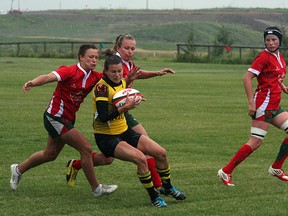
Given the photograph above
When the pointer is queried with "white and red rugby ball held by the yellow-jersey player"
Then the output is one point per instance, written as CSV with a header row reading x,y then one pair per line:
x,y
119,99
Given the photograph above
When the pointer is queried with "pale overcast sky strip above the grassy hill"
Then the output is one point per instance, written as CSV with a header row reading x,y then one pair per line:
x,y
32,5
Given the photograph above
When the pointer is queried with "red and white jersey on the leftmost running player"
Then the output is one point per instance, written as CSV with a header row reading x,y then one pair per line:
x,y
74,84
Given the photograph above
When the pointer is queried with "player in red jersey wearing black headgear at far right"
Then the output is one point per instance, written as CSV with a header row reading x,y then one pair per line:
x,y
264,106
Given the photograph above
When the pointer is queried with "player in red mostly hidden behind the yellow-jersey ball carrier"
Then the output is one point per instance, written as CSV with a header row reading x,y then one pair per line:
x,y
125,47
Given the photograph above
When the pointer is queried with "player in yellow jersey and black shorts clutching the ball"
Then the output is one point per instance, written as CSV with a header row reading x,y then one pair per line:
x,y
115,139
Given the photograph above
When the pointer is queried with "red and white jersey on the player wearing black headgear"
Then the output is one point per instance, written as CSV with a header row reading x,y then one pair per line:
x,y
270,69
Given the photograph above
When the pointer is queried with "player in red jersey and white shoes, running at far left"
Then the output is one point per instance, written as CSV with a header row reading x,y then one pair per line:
x,y
74,84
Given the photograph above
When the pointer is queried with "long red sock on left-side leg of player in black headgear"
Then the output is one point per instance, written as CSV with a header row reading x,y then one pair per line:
x,y
240,155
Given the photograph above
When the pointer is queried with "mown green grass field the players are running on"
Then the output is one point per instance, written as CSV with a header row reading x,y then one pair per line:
x,y
199,115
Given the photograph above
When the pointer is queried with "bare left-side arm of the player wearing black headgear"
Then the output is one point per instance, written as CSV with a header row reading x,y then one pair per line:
x,y
247,80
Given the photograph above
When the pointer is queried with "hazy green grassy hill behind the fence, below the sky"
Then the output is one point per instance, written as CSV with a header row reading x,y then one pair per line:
x,y
153,29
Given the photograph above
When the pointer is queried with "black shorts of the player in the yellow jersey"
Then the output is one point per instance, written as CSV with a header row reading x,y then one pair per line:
x,y
107,143
